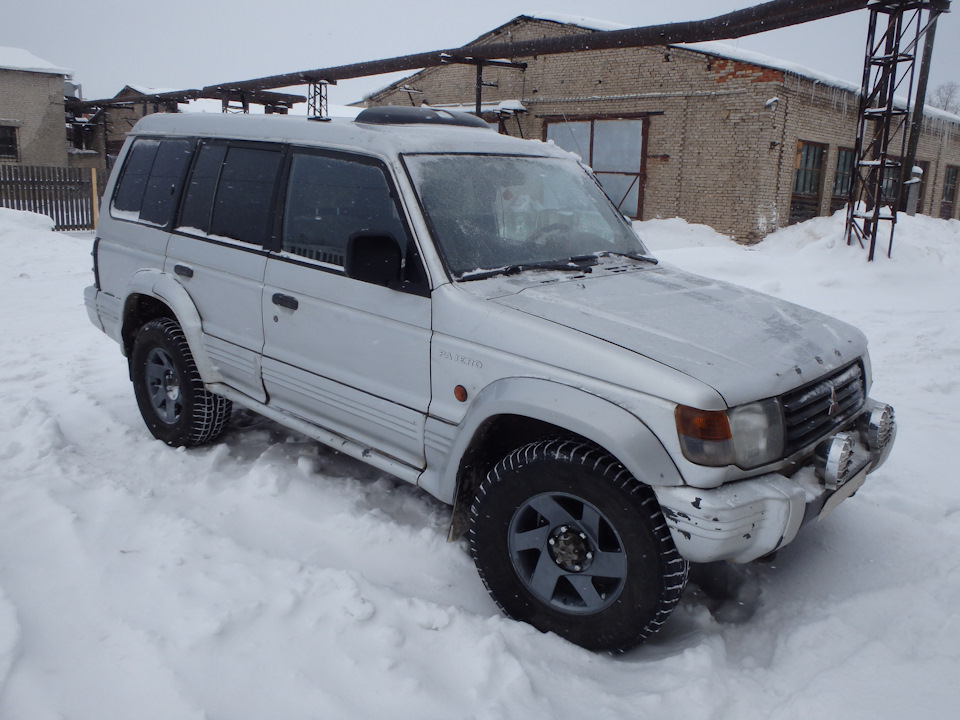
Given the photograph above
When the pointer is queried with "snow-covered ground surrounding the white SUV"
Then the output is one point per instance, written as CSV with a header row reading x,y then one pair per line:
x,y
264,577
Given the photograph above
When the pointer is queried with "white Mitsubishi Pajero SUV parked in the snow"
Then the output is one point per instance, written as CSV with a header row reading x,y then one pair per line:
x,y
468,312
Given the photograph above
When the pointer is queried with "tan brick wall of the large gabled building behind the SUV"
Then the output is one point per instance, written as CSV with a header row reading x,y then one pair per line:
x,y
717,151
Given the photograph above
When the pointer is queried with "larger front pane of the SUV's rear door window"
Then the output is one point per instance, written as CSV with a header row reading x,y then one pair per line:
x,y
241,209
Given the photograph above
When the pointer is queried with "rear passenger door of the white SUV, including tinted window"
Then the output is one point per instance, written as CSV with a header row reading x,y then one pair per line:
x,y
217,252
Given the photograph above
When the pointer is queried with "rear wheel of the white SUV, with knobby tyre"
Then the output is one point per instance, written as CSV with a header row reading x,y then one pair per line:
x,y
174,403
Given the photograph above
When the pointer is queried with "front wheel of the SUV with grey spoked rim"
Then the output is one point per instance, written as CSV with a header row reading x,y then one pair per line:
x,y
566,539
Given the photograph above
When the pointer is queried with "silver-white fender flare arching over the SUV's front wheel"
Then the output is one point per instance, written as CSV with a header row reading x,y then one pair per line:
x,y
577,410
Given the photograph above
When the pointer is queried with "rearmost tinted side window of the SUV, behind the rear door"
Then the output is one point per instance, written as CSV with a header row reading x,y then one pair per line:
x,y
152,180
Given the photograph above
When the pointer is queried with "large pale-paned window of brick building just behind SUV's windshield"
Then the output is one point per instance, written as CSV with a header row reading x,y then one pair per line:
x,y
614,149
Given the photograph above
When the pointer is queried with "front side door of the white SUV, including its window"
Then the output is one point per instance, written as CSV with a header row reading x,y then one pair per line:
x,y
346,355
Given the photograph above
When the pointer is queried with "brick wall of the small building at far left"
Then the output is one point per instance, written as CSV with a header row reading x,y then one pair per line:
x,y
33,103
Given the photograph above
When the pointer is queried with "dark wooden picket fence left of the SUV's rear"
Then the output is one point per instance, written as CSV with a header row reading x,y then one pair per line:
x,y
68,195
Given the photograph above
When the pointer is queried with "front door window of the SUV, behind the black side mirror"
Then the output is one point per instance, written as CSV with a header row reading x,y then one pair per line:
x,y
329,199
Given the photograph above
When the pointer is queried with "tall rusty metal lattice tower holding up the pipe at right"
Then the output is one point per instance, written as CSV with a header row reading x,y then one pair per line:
x,y
882,160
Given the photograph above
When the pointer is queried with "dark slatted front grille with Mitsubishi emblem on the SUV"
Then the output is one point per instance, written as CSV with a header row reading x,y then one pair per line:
x,y
813,411
